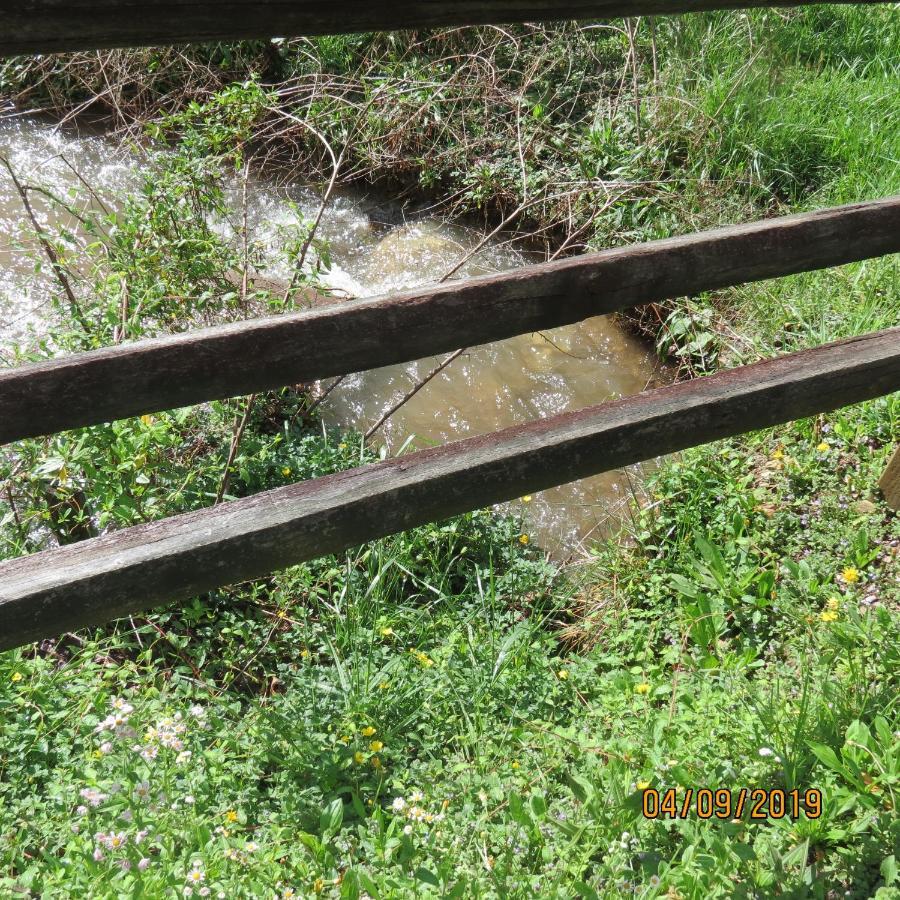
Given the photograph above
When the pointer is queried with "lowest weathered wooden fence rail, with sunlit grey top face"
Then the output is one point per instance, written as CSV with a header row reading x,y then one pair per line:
x,y
123,572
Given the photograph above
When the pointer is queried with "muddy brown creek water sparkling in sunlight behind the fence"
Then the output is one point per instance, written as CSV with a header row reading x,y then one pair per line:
x,y
373,251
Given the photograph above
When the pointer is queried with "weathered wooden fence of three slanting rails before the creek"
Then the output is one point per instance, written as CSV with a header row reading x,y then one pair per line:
x,y
125,571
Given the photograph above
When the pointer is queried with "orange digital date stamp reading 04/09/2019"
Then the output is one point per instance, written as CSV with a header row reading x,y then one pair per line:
x,y
707,803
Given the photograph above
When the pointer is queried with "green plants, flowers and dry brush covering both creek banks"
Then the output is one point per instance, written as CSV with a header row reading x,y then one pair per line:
x,y
446,712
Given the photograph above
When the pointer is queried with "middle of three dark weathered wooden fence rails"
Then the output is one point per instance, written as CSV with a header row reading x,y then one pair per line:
x,y
179,370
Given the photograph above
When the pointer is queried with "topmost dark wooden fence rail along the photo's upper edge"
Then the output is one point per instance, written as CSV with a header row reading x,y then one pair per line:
x,y
43,26
